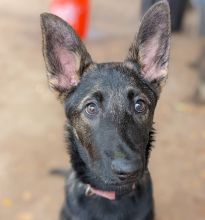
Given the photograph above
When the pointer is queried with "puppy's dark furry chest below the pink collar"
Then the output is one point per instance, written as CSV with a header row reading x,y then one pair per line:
x,y
78,206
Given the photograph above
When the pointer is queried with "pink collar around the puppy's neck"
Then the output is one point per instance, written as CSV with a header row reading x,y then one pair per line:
x,y
111,195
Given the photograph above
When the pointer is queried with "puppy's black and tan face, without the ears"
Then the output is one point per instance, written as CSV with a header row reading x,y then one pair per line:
x,y
110,119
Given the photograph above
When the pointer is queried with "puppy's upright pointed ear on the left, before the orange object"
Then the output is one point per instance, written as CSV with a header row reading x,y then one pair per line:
x,y
65,55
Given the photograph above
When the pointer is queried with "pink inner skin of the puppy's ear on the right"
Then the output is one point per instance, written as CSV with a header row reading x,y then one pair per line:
x,y
148,53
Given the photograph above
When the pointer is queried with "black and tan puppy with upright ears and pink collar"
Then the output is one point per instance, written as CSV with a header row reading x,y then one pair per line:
x,y
109,109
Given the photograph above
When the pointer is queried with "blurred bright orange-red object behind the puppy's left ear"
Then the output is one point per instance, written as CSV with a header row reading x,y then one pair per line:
x,y
75,12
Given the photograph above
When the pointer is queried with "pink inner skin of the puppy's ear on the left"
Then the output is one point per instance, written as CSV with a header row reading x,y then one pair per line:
x,y
68,77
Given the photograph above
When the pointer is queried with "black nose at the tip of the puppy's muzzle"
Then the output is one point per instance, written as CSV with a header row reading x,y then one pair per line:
x,y
125,168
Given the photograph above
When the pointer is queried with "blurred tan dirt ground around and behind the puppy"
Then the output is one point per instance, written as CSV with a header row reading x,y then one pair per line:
x,y
31,128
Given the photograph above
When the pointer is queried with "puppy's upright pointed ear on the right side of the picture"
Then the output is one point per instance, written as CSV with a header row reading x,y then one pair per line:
x,y
150,48
